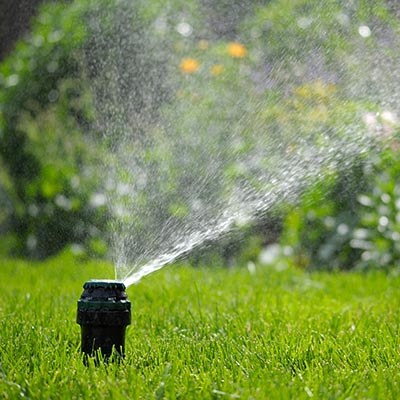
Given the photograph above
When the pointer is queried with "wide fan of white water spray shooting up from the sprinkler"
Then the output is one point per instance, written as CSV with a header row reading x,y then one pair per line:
x,y
196,144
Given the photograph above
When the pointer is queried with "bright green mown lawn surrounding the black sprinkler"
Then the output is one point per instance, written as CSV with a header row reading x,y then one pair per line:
x,y
205,334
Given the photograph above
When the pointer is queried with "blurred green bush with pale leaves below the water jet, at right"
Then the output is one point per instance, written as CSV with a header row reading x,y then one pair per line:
x,y
351,219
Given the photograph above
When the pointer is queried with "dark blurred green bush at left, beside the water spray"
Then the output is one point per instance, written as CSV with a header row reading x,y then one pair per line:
x,y
52,191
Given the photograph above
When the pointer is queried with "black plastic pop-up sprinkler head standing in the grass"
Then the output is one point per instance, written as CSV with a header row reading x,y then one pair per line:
x,y
104,312
